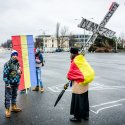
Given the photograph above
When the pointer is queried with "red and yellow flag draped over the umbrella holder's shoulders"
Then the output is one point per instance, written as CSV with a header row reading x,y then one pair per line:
x,y
80,71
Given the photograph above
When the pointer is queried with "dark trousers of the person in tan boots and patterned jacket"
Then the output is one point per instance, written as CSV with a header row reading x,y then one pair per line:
x,y
10,95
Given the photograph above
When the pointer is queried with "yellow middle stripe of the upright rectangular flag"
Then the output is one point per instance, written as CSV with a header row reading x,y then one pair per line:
x,y
25,61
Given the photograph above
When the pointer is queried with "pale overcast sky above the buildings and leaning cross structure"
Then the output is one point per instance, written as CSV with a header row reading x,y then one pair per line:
x,y
33,17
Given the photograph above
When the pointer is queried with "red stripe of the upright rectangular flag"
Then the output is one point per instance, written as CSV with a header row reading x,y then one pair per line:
x,y
16,41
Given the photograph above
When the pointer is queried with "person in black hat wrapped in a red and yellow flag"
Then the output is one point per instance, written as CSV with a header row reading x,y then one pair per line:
x,y
81,74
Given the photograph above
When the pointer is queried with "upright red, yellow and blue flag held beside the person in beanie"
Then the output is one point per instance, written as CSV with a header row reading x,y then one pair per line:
x,y
25,46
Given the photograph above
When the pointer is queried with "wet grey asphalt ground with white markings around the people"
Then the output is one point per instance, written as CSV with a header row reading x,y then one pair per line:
x,y
106,92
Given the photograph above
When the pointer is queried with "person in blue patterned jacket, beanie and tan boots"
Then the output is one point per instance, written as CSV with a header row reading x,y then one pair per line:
x,y
11,76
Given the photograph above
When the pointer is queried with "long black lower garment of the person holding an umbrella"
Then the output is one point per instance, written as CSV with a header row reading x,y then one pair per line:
x,y
80,105
